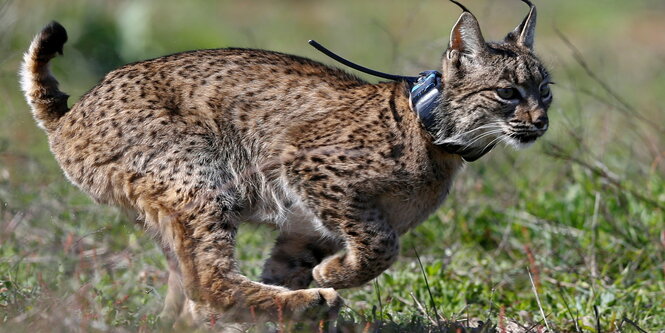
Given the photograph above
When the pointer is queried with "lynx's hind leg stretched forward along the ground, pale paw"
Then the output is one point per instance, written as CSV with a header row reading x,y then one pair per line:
x,y
204,241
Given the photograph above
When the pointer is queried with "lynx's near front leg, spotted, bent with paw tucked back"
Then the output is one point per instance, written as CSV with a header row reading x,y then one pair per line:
x,y
329,189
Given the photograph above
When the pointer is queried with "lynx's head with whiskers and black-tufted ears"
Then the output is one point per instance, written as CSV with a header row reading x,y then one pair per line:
x,y
492,92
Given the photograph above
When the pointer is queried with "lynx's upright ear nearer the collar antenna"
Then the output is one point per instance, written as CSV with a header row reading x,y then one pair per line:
x,y
466,37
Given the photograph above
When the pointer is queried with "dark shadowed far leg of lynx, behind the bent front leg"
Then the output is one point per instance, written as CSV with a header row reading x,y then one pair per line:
x,y
293,257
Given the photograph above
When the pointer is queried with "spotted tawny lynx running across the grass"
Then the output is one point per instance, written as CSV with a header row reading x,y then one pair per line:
x,y
197,142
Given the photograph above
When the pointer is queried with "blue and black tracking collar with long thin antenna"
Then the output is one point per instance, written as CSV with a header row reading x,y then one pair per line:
x,y
425,95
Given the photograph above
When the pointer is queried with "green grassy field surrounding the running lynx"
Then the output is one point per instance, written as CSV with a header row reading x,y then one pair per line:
x,y
582,210
